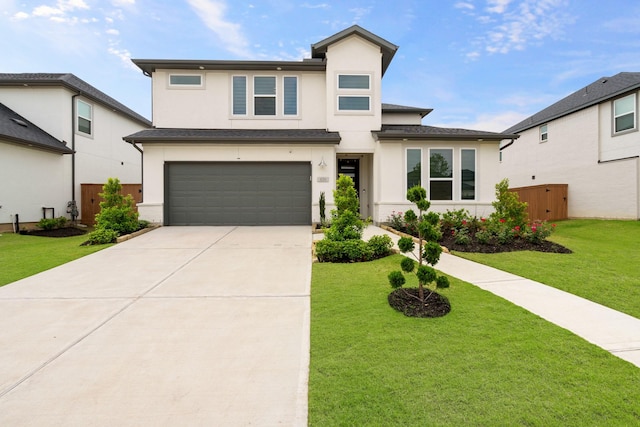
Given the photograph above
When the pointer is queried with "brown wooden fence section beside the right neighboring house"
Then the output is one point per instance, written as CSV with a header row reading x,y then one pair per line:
x,y
545,202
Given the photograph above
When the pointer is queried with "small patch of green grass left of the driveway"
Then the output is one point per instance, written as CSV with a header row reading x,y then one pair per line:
x,y
23,256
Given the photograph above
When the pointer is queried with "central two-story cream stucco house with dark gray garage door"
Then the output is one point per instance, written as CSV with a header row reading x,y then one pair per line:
x,y
257,142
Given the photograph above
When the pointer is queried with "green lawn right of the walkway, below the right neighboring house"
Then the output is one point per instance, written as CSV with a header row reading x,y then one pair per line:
x,y
604,268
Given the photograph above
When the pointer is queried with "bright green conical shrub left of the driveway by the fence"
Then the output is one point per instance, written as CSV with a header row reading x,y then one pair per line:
x,y
116,211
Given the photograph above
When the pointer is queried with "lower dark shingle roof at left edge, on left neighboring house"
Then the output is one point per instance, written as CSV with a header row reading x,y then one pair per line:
x,y
18,130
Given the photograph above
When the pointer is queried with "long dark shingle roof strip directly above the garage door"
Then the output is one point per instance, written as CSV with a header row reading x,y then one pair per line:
x,y
254,136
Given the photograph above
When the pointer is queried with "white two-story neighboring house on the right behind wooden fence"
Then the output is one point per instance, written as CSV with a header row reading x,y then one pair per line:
x,y
588,140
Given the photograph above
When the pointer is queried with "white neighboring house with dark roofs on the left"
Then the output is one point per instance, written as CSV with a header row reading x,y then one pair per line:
x,y
56,133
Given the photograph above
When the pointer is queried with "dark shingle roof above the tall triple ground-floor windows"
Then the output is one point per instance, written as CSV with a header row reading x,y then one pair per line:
x,y
395,132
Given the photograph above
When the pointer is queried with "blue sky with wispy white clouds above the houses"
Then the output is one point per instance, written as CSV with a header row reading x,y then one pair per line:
x,y
480,64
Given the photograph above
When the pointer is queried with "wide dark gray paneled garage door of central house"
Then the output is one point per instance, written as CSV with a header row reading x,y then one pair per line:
x,y
237,193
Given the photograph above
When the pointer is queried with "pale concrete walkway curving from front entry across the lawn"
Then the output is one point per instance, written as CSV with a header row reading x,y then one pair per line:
x,y
611,330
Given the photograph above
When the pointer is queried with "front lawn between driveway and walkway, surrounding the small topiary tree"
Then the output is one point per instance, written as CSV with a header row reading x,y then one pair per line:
x,y
488,362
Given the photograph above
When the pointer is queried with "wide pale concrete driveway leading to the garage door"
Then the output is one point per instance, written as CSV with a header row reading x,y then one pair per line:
x,y
197,326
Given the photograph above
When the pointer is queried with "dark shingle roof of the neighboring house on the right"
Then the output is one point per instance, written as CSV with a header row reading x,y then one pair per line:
x,y
603,89
